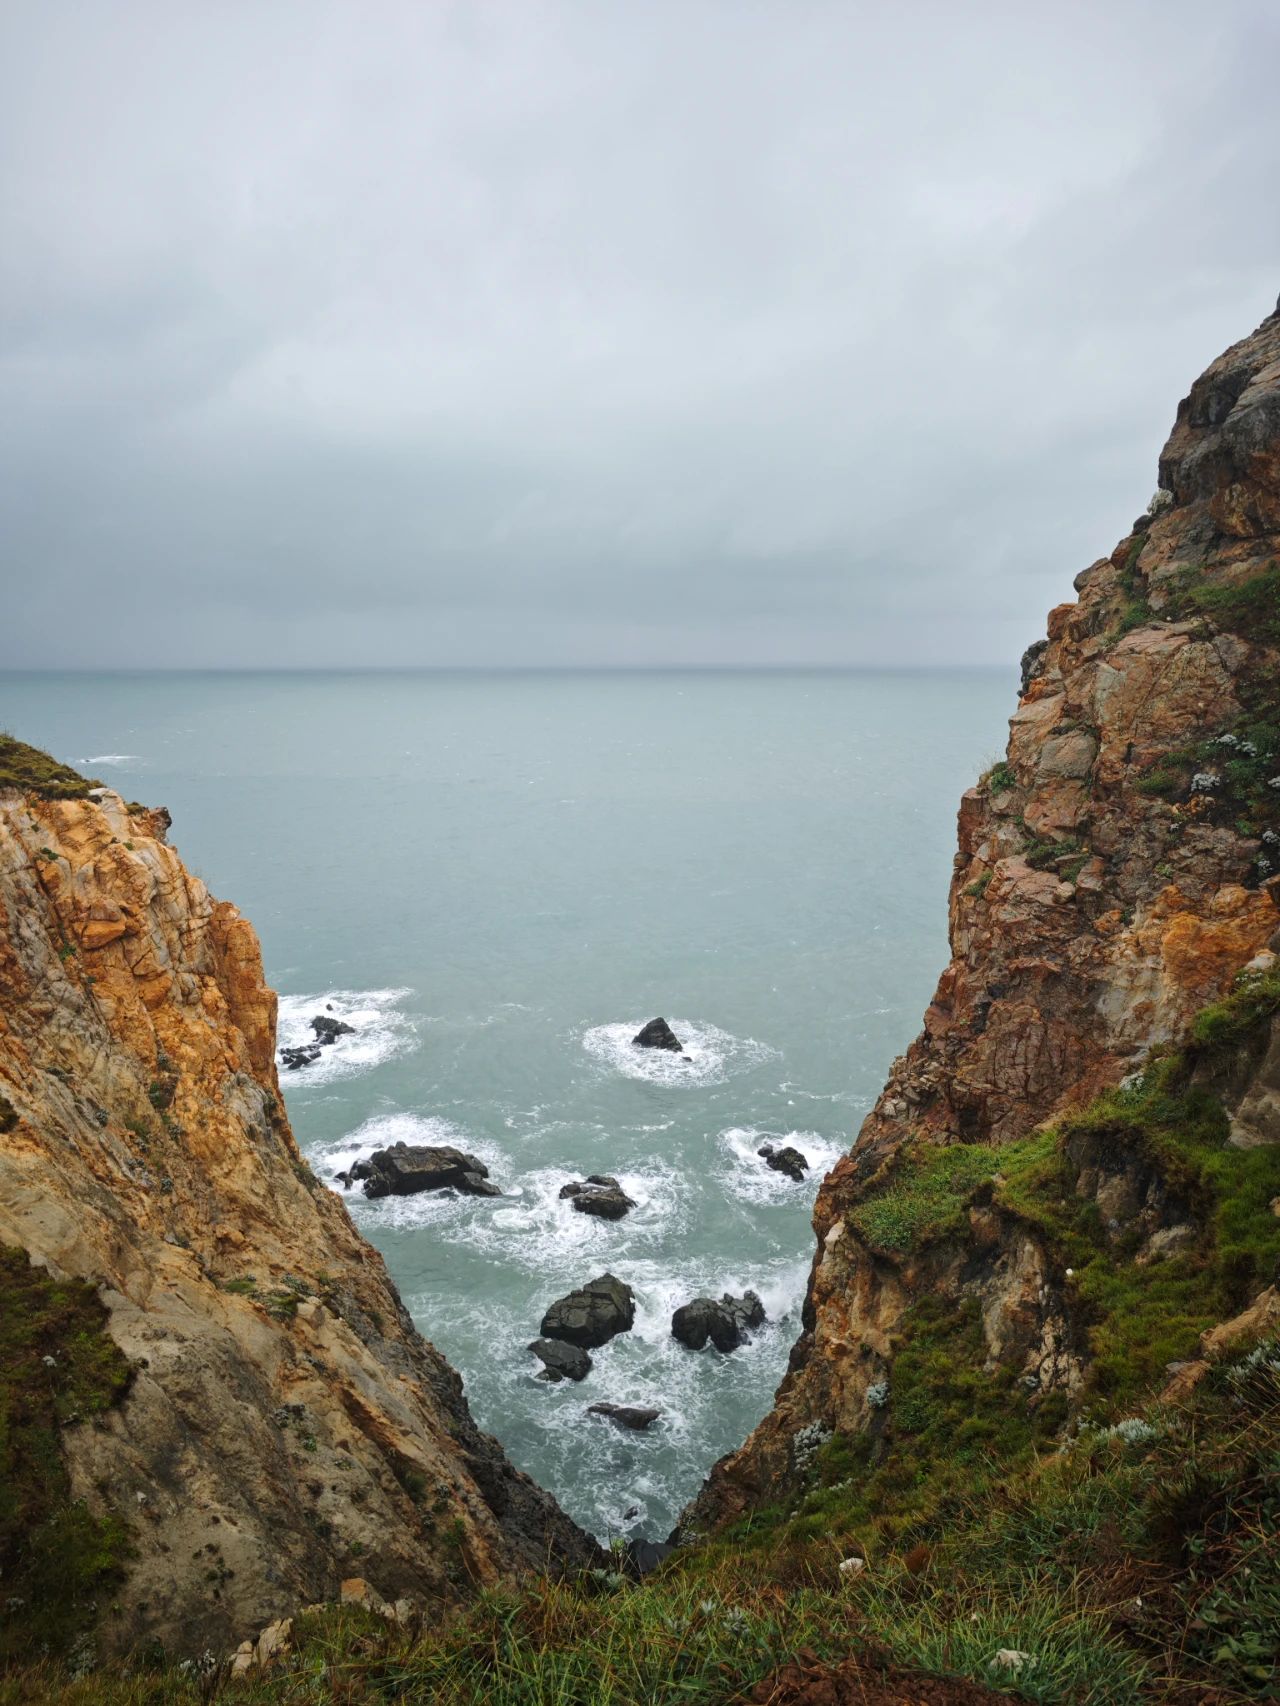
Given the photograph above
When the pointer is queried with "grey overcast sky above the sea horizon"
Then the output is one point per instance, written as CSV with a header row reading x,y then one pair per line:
x,y
607,332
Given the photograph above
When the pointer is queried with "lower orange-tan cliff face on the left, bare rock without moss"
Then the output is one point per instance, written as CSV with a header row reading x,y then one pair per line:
x,y
284,1425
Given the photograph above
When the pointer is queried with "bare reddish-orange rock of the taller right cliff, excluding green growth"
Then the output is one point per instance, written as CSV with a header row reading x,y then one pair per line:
x,y
1112,879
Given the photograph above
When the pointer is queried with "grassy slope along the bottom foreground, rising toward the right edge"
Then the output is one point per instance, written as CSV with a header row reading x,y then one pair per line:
x,y
1129,1572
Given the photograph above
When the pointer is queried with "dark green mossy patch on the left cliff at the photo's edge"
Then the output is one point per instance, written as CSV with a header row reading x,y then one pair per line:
x,y
59,1369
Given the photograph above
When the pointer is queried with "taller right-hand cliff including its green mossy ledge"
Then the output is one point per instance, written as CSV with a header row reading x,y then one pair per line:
x,y
1115,874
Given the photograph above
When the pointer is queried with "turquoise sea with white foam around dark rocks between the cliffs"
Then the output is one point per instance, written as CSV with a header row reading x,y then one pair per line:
x,y
497,879
